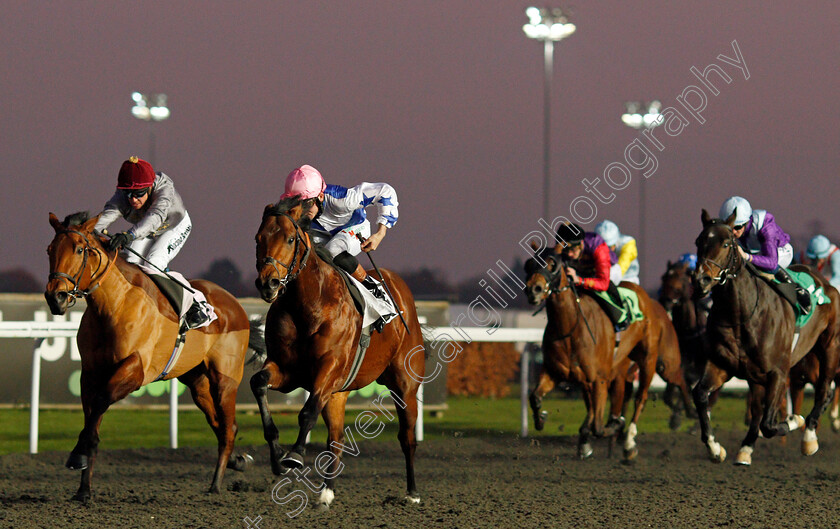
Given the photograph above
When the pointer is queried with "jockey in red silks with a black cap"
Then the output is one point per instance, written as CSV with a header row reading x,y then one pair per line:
x,y
589,260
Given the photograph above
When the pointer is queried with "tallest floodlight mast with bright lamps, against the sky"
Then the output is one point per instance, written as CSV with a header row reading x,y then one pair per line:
x,y
549,25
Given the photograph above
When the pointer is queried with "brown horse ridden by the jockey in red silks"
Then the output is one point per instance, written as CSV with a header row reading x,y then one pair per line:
x,y
579,346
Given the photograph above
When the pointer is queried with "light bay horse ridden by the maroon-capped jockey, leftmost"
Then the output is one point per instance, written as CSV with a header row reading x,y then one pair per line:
x,y
127,335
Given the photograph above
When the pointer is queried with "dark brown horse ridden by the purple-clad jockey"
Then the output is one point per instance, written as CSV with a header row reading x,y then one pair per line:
x,y
752,335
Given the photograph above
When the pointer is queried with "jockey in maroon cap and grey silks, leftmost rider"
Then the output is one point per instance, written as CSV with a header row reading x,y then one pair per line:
x,y
161,224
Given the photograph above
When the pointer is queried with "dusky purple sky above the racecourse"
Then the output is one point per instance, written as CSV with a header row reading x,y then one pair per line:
x,y
441,99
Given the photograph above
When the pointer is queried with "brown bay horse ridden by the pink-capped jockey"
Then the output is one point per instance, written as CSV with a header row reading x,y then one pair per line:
x,y
312,332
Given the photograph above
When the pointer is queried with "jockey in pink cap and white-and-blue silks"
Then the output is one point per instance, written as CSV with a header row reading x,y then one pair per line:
x,y
339,218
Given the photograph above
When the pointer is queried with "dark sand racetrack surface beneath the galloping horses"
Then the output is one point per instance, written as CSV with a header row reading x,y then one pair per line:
x,y
463,482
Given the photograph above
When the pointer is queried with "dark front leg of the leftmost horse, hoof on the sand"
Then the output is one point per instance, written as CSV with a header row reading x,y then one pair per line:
x,y
96,398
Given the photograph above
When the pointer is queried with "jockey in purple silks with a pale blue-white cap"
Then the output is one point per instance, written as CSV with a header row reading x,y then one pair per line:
x,y
762,242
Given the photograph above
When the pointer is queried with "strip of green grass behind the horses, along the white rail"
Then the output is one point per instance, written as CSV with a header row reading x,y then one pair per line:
x,y
466,416
